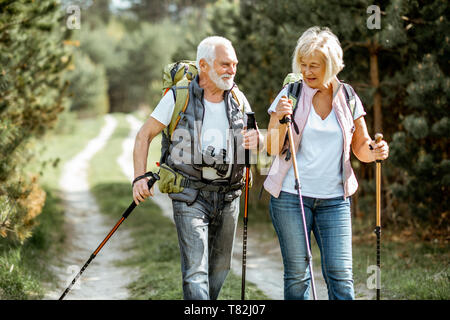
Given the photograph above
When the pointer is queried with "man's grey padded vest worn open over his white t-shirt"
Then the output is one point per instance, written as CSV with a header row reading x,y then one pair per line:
x,y
181,154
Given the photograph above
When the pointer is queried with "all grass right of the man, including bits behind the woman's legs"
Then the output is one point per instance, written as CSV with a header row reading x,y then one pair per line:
x,y
411,269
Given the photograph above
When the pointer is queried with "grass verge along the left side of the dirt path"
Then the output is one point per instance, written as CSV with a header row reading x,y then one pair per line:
x,y
24,267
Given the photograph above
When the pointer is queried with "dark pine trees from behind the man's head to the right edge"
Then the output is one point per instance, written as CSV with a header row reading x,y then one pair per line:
x,y
411,49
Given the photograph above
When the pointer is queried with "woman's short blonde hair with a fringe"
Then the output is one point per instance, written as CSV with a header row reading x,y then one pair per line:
x,y
322,40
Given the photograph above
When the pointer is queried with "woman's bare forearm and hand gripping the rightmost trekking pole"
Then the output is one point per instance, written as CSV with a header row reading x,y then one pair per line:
x,y
361,143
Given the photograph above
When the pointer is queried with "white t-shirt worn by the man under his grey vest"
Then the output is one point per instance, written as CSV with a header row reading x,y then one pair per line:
x,y
215,129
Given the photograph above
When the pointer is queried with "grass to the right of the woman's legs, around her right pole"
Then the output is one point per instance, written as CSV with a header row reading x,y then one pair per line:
x,y
410,269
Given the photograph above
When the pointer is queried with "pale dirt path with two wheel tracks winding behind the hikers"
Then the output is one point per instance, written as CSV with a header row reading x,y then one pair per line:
x,y
102,280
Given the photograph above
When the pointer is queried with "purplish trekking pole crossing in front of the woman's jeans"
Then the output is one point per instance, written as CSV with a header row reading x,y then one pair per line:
x,y
288,121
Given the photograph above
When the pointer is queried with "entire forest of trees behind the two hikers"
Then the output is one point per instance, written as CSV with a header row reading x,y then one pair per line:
x,y
66,60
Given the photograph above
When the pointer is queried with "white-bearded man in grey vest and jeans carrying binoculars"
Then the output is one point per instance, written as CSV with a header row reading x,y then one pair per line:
x,y
206,208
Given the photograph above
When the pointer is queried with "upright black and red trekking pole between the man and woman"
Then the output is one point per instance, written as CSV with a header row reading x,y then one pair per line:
x,y
251,125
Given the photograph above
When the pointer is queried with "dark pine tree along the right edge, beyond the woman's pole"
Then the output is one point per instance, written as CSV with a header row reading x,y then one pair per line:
x,y
421,145
